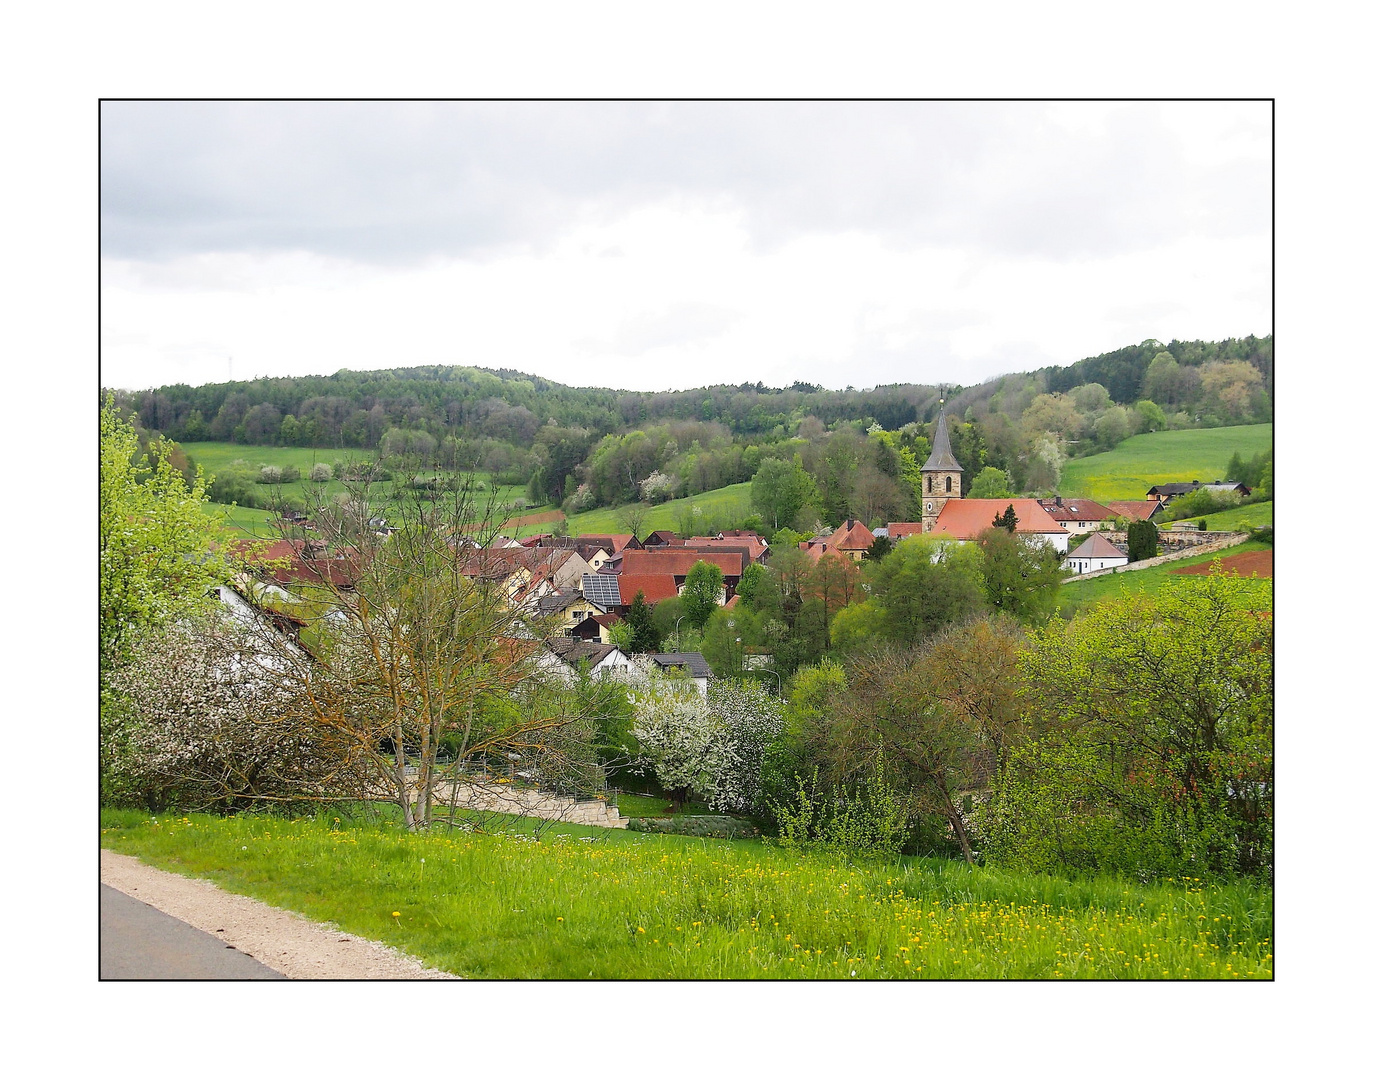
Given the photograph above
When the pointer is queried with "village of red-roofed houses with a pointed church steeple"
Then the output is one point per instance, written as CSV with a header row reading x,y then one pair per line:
x,y
572,592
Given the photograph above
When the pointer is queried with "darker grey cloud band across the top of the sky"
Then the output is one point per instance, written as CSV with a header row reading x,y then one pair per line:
x,y
402,182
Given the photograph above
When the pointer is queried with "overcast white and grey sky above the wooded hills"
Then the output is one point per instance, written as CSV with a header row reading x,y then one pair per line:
x,y
657,246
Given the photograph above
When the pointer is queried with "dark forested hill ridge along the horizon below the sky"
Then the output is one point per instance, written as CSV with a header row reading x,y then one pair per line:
x,y
356,410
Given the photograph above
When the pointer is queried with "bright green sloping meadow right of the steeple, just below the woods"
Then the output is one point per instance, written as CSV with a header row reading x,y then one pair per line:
x,y
1161,458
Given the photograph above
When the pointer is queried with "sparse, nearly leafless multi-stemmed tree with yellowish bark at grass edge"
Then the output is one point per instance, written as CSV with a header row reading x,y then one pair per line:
x,y
421,657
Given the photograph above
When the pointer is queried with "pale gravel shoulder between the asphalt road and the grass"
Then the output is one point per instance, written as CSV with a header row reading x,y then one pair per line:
x,y
284,941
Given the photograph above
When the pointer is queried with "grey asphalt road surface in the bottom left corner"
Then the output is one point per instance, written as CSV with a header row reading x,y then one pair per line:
x,y
139,942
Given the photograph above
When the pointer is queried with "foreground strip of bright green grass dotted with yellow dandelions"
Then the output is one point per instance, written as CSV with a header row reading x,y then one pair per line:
x,y
591,904
